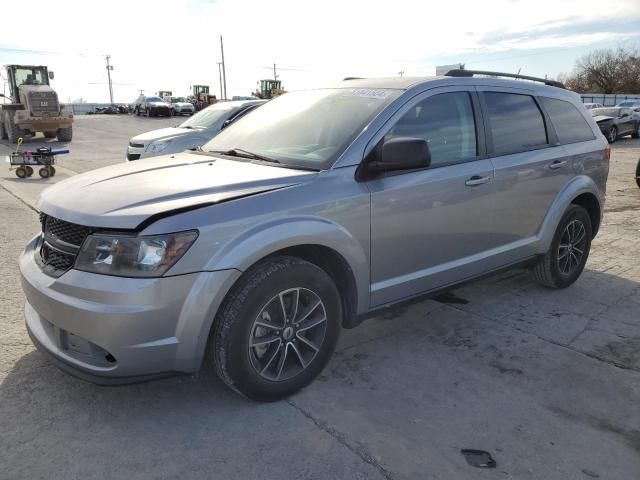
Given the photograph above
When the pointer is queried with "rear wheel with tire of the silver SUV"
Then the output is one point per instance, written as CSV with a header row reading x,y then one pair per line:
x,y
551,270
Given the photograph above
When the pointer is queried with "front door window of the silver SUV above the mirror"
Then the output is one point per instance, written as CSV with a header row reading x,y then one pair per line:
x,y
446,122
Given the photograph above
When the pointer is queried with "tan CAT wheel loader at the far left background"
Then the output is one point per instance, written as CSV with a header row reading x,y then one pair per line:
x,y
33,106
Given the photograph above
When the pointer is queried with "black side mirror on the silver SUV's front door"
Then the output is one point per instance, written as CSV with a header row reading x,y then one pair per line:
x,y
401,153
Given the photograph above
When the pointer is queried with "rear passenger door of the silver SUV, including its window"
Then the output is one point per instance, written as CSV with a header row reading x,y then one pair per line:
x,y
530,166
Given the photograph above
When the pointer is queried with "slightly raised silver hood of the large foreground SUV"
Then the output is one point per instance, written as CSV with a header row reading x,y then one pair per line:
x,y
123,196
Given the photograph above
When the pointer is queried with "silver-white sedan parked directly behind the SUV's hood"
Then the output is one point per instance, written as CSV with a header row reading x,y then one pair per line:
x,y
196,131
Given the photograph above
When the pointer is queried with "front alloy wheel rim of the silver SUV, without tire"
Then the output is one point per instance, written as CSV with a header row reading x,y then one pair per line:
x,y
287,334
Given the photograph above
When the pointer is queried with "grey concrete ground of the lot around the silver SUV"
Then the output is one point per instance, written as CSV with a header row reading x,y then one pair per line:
x,y
547,381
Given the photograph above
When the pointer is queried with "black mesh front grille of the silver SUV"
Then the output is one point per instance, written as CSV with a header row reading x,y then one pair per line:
x,y
61,244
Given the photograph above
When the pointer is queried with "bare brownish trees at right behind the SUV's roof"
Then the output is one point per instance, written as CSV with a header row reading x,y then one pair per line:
x,y
606,71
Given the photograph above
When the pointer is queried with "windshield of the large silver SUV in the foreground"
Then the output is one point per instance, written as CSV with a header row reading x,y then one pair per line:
x,y
308,129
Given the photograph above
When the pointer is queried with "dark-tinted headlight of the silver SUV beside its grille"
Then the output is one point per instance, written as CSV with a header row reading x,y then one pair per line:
x,y
124,256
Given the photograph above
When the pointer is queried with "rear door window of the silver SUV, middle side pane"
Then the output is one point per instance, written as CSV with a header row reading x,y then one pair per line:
x,y
516,122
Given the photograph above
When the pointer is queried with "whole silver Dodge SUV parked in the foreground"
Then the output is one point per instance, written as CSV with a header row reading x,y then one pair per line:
x,y
319,209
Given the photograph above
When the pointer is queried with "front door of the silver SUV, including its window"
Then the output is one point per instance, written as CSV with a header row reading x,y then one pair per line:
x,y
430,227
